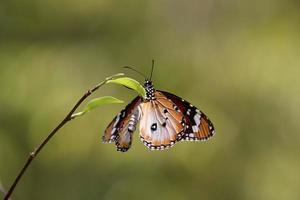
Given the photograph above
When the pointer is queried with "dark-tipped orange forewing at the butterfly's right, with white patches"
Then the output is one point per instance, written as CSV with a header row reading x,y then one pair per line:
x,y
197,125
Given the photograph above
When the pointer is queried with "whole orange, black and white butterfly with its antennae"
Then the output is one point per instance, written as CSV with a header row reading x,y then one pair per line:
x,y
165,119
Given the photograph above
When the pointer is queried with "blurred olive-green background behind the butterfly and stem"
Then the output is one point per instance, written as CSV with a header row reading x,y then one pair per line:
x,y
238,61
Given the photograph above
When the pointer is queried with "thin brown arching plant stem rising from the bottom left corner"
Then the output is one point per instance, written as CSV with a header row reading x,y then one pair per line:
x,y
68,118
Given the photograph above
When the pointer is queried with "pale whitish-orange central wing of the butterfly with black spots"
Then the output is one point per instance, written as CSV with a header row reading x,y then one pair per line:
x,y
161,123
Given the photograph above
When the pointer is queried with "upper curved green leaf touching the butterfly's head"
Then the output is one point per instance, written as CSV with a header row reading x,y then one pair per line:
x,y
130,83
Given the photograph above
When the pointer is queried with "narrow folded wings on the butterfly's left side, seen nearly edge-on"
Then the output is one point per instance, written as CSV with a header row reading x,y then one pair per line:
x,y
120,130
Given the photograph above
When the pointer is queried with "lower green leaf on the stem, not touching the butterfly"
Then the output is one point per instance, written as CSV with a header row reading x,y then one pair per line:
x,y
95,103
